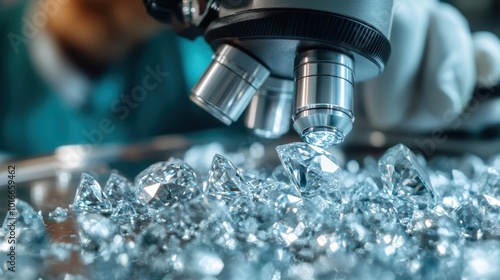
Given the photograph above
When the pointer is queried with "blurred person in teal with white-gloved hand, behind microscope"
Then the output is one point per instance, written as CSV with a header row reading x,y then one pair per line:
x,y
95,72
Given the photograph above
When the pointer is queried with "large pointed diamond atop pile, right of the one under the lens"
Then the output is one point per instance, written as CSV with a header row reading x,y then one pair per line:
x,y
404,176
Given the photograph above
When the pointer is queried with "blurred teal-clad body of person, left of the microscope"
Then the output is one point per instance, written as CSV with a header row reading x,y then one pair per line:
x,y
93,72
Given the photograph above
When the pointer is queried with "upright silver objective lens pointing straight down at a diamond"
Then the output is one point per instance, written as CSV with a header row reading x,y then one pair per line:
x,y
324,85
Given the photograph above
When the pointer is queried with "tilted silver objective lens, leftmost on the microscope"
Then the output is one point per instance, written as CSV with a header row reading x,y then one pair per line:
x,y
228,85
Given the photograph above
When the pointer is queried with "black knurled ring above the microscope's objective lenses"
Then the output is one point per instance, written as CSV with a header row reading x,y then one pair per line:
x,y
305,25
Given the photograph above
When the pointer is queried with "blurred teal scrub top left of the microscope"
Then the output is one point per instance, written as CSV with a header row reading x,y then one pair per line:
x,y
141,96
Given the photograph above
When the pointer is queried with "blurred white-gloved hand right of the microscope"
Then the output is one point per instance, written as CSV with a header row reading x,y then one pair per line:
x,y
434,67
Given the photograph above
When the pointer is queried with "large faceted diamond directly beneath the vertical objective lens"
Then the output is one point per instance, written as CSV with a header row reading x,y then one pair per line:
x,y
309,167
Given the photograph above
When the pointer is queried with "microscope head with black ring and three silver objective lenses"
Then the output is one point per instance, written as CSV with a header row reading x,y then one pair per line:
x,y
284,60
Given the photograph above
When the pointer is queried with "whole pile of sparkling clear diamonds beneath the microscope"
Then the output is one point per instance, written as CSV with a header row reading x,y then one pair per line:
x,y
400,218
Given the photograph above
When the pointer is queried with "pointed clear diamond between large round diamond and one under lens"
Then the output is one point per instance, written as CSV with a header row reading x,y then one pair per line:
x,y
224,177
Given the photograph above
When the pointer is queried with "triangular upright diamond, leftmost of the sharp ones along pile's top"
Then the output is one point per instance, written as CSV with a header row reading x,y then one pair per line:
x,y
90,197
